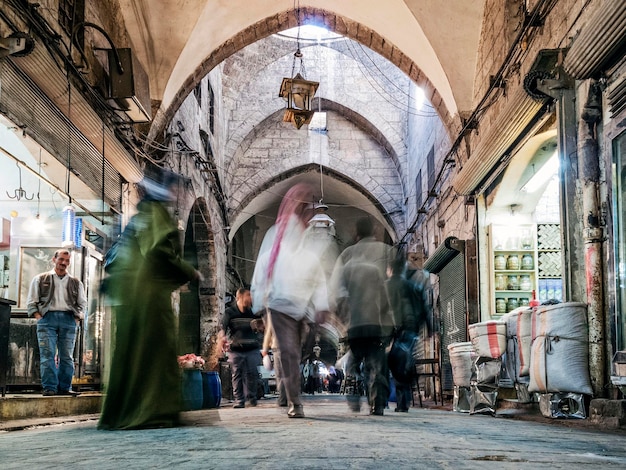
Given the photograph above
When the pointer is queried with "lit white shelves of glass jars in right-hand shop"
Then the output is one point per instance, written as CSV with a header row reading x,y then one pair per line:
x,y
513,273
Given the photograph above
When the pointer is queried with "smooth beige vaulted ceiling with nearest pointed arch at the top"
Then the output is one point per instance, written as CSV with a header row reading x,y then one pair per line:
x,y
179,41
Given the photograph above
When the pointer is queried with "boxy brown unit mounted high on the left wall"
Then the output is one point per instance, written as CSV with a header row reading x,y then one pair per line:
x,y
130,87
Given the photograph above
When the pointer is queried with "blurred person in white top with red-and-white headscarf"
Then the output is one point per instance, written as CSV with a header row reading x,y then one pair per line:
x,y
289,282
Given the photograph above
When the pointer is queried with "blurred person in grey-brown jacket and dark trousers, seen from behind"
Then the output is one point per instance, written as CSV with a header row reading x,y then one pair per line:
x,y
360,299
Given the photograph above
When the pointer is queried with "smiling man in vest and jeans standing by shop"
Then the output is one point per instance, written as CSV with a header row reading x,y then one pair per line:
x,y
57,300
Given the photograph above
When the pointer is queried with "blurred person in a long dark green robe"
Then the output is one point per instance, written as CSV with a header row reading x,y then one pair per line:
x,y
144,384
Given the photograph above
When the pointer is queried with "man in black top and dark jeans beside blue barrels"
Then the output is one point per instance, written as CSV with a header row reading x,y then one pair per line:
x,y
245,349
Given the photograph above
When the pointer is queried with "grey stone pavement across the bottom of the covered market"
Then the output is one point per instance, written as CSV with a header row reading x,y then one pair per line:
x,y
329,437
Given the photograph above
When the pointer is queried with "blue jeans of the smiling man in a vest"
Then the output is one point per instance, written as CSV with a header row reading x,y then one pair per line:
x,y
56,330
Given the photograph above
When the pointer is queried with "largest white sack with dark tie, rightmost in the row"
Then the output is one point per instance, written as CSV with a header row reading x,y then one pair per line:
x,y
559,352
